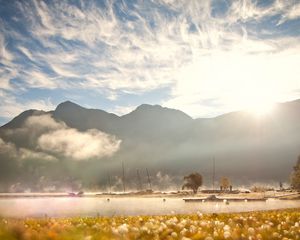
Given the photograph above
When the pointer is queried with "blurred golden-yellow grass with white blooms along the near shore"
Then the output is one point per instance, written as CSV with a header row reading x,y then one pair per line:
x,y
281,224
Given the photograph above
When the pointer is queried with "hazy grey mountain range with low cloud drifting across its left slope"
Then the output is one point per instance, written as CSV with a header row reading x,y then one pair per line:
x,y
246,148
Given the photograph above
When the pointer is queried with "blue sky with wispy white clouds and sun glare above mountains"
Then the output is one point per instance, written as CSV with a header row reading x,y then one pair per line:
x,y
205,57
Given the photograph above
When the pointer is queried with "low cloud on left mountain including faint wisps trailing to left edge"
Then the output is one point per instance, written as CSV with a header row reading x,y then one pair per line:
x,y
53,139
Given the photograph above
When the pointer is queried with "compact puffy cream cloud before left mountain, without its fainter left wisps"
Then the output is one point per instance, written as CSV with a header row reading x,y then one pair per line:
x,y
56,138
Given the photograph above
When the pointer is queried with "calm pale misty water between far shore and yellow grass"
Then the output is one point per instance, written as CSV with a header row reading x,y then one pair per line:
x,y
66,207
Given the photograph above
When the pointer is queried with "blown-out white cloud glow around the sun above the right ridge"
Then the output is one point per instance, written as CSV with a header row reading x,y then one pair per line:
x,y
236,81
